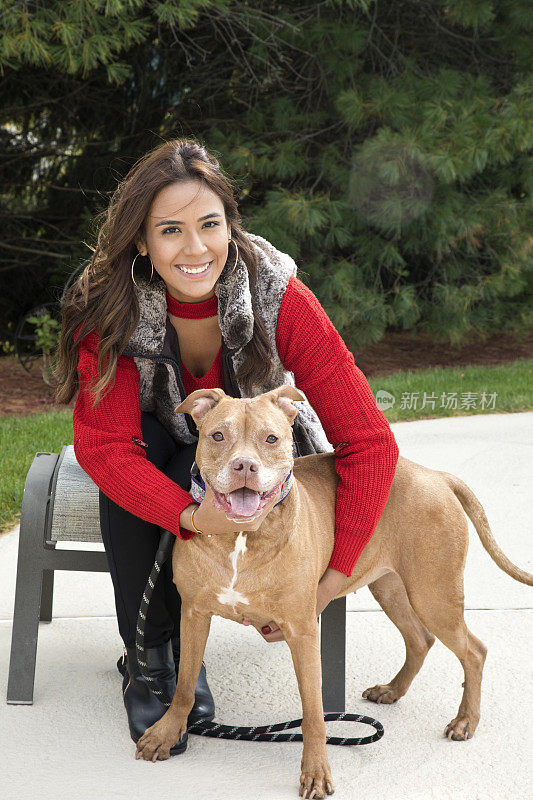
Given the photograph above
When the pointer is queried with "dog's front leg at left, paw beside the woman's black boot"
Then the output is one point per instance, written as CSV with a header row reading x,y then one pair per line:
x,y
157,740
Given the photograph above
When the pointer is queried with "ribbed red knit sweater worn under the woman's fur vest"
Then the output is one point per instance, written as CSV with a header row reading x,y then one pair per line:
x,y
310,347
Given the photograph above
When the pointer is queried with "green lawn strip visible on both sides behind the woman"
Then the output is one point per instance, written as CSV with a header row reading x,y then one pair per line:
x,y
22,437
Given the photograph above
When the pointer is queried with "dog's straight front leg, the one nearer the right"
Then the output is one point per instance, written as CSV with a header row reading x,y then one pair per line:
x,y
303,640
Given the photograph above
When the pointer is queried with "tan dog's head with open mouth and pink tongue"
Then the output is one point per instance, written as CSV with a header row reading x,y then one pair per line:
x,y
245,445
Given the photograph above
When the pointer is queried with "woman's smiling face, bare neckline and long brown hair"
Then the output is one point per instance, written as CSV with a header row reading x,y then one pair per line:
x,y
177,208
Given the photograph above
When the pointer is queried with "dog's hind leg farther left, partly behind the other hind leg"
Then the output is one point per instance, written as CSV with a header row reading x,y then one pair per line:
x,y
390,593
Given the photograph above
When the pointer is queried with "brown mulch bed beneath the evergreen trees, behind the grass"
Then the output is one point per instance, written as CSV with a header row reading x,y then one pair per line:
x,y
26,393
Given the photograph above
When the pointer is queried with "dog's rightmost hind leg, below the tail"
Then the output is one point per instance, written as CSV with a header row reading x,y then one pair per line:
x,y
442,612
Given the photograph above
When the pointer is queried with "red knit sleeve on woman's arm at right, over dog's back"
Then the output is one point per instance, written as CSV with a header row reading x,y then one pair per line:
x,y
365,447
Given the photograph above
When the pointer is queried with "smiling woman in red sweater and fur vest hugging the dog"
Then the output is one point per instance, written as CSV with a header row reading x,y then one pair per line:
x,y
217,307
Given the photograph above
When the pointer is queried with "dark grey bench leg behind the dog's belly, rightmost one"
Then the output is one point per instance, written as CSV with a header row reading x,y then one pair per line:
x,y
333,653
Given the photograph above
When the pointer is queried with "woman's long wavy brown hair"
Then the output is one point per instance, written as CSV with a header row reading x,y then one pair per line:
x,y
103,297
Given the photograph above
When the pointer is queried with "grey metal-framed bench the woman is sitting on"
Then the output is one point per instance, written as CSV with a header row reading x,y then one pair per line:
x,y
61,503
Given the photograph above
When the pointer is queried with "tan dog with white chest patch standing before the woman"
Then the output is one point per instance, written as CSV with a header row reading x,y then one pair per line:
x,y
413,564
